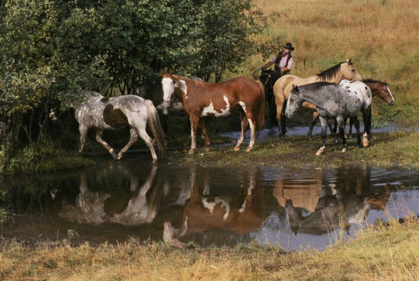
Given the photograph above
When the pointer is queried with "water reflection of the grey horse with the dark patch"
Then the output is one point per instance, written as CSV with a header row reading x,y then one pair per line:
x,y
120,208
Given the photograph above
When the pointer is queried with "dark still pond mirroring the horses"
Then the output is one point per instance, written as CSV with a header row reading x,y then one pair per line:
x,y
293,208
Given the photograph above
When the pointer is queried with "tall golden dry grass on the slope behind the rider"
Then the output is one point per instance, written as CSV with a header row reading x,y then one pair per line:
x,y
380,36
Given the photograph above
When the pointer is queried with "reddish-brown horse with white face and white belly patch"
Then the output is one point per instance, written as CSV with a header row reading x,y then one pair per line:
x,y
201,99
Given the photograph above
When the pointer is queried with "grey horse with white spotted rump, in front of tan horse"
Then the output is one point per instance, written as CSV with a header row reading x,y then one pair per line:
x,y
333,102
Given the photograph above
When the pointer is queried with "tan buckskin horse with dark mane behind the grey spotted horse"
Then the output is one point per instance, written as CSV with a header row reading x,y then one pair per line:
x,y
282,87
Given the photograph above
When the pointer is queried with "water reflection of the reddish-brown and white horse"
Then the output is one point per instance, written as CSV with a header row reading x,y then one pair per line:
x,y
238,214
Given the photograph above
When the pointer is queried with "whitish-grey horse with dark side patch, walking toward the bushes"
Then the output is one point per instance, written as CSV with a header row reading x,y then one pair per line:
x,y
102,113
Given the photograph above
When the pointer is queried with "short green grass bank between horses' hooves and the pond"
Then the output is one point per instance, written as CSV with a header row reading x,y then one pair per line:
x,y
386,150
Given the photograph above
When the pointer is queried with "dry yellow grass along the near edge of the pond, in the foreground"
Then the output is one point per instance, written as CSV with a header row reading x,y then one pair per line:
x,y
380,253
